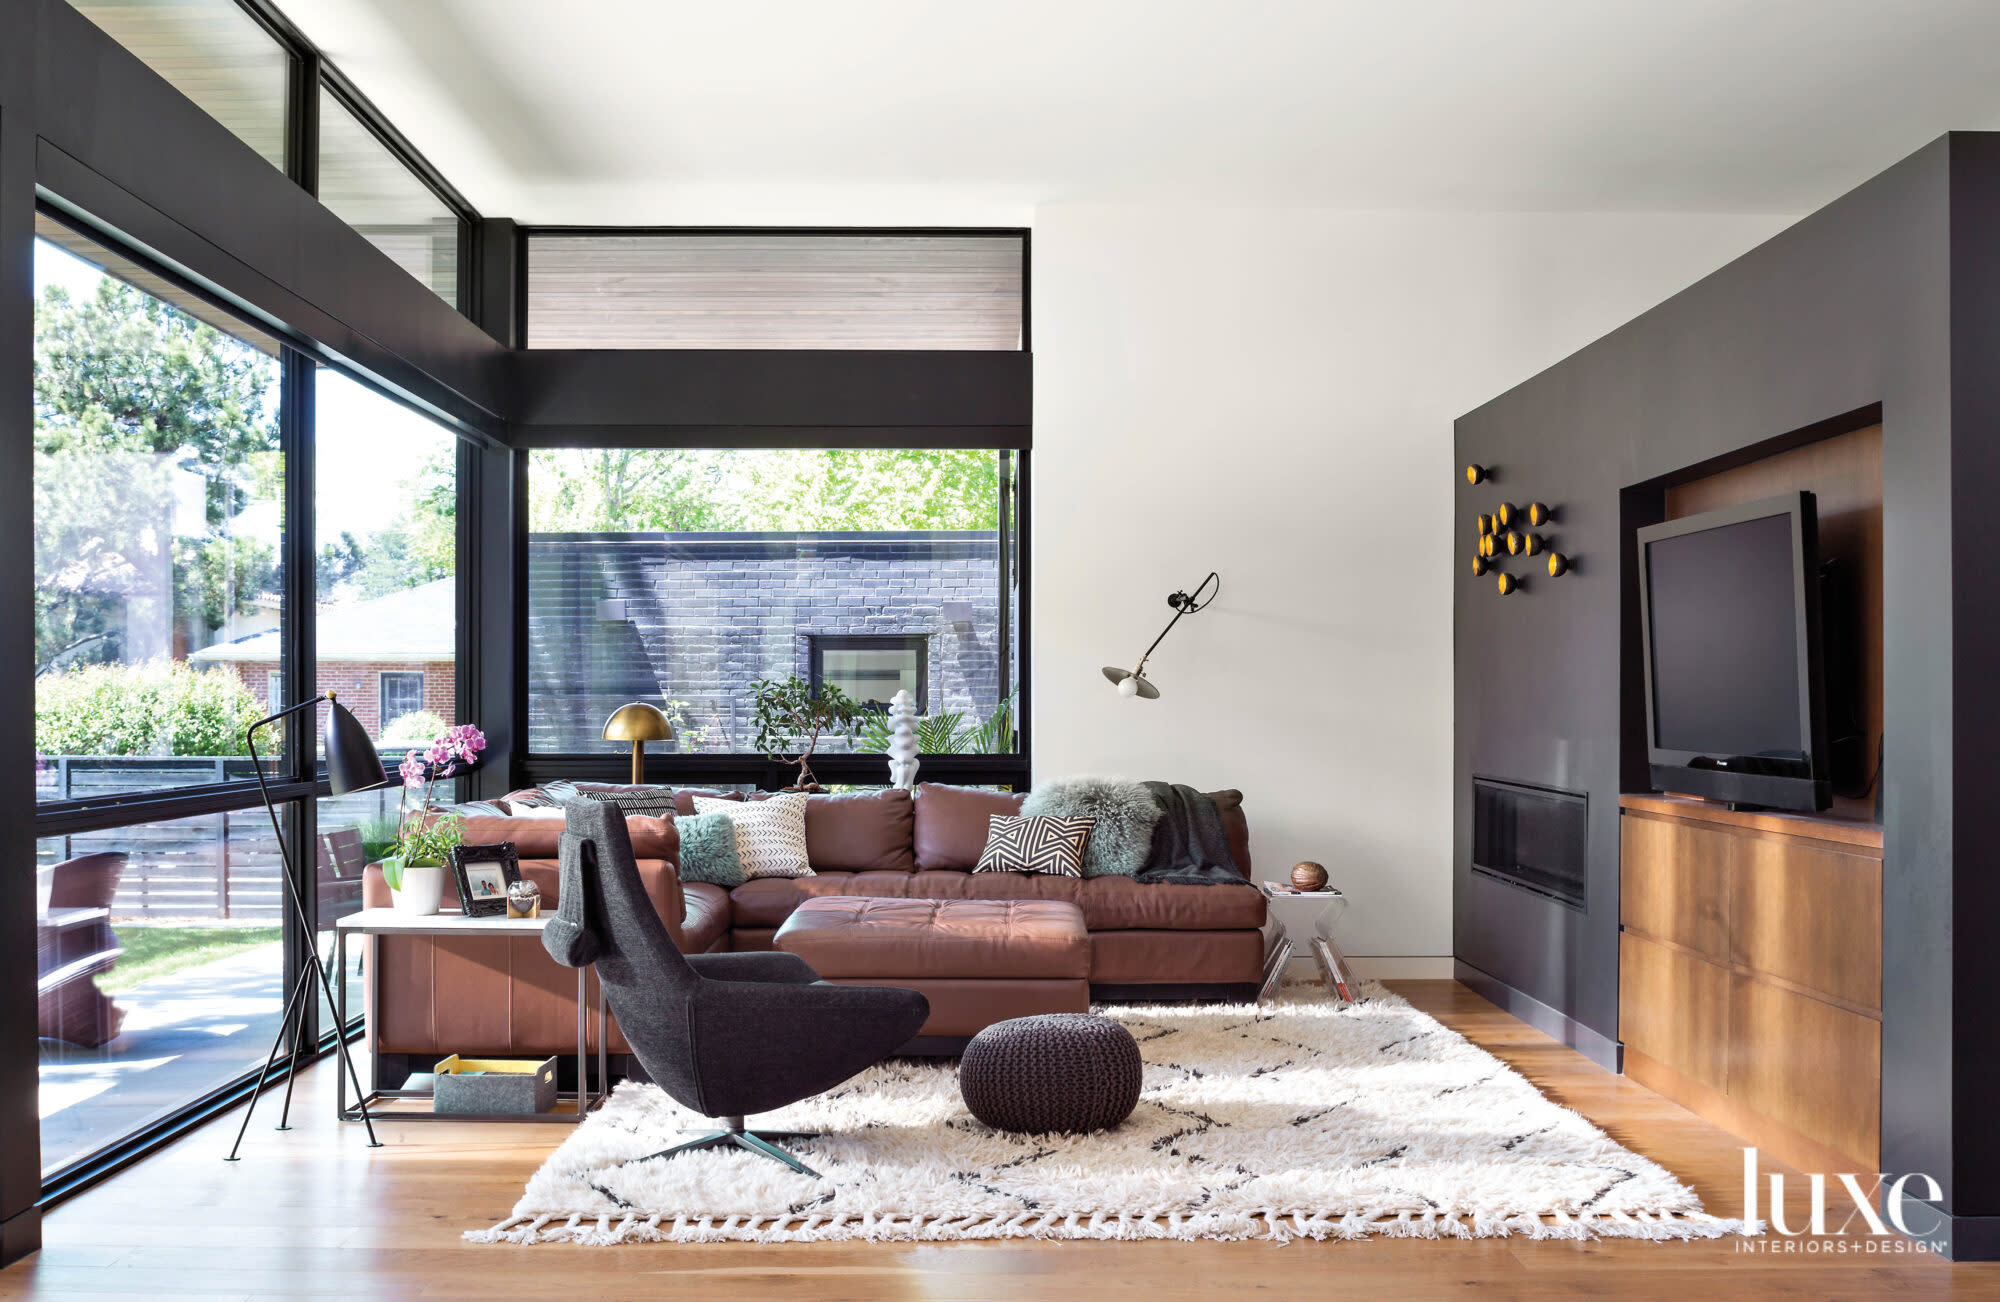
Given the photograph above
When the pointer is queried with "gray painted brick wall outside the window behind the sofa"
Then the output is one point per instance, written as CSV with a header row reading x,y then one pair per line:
x,y
697,617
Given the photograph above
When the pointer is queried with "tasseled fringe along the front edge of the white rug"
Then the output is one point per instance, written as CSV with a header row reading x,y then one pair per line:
x,y
599,1231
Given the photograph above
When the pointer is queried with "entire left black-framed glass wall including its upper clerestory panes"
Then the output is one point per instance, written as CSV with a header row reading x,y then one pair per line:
x,y
185,581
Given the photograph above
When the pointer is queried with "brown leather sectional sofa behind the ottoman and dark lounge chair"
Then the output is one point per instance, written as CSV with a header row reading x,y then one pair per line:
x,y
507,997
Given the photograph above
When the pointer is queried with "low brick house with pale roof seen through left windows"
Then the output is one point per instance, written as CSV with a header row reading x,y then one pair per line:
x,y
407,637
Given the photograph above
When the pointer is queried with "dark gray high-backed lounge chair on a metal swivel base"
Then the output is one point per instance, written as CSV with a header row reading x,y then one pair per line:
x,y
727,1035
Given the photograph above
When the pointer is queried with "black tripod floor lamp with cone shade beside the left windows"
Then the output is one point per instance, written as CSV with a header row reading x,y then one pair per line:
x,y
351,767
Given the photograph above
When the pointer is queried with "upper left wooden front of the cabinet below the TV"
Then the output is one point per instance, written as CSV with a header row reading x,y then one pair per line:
x,y
1673,883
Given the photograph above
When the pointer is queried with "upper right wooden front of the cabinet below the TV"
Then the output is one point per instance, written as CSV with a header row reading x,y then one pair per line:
x,y
1809,915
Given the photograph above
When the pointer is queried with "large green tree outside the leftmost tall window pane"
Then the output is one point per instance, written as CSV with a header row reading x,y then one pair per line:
x,y
137,405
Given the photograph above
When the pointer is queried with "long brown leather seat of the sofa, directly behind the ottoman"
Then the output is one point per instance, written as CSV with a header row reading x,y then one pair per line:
x,y
1109,903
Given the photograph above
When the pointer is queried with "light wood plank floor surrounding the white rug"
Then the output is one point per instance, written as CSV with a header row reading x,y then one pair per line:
x,y
315,1213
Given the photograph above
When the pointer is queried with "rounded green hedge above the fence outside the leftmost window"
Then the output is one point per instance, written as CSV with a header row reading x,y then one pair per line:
x,y
151,709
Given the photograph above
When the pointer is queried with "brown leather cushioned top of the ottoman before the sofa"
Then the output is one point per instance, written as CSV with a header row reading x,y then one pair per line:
x,y
847,937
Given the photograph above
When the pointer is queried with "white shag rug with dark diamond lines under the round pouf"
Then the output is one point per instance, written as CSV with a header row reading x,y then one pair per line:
x,y
1295,1119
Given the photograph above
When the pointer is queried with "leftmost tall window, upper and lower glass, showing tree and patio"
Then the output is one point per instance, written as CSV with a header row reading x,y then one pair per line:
x,y
159,485
